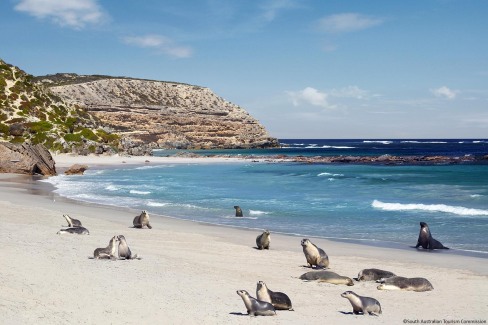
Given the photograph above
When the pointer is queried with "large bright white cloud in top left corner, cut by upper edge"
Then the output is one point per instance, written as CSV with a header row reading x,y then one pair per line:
x,y
71,13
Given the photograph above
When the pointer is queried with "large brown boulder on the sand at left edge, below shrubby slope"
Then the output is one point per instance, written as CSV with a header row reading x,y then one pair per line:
x,y
26,159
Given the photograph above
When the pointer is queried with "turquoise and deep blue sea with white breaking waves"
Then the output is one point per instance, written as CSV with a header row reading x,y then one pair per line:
x,y
370,204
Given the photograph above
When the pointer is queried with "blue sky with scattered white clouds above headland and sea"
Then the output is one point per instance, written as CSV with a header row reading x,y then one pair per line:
x,y
304,68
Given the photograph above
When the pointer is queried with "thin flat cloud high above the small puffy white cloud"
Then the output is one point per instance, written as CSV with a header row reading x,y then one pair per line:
x,y
347,22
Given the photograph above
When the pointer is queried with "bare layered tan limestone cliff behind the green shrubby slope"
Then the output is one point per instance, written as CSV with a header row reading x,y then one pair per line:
x,y
162,114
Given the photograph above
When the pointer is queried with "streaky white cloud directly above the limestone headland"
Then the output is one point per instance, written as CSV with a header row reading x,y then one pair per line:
x,y
161,44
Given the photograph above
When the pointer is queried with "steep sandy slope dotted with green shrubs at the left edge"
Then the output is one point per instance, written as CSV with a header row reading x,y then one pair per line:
x,y
30,112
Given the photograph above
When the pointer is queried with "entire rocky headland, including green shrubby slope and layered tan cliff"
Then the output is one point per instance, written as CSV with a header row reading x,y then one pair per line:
x,y
70,113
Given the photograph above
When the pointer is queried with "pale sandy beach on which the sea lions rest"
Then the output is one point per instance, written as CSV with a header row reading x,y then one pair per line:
x,y
189,271
